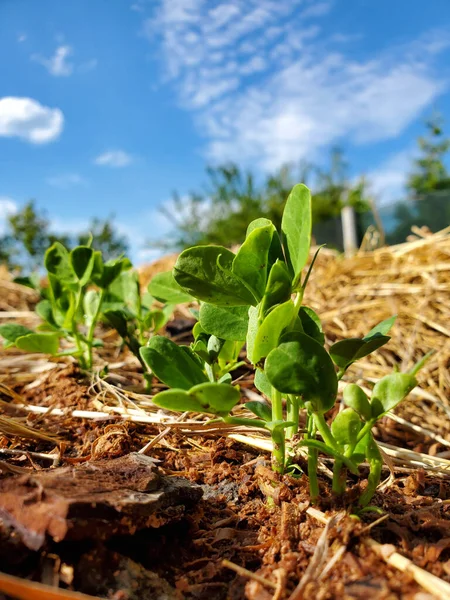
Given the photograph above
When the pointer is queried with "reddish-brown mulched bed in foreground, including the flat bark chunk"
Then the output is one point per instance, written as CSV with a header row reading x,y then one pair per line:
x,y
78,522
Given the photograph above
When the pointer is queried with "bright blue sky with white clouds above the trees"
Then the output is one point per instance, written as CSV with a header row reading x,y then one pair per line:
x,y
109,106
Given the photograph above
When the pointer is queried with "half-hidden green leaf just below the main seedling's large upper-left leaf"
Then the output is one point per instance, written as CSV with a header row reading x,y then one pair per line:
x,y
228,323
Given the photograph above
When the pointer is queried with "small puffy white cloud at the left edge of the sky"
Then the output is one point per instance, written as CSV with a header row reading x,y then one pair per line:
x,y
25,118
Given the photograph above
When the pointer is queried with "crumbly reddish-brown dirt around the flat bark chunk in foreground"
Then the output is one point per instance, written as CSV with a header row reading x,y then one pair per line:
x,y
248,515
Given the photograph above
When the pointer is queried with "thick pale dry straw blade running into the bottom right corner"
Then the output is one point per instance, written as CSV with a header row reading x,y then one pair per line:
x,y
432,584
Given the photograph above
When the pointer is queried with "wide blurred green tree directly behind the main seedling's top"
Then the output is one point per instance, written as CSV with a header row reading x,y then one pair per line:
x,y
232,199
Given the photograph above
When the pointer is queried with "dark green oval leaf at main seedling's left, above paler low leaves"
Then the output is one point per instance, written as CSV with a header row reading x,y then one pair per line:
x,y
172,364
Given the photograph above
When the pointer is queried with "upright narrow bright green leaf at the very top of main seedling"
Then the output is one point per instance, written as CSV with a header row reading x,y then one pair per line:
x,y
296,229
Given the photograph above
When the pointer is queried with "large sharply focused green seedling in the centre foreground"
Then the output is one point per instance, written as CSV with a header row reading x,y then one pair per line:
x,y
256,295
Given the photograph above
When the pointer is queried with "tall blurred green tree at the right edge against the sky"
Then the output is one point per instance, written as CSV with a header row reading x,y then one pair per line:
x,y
428,185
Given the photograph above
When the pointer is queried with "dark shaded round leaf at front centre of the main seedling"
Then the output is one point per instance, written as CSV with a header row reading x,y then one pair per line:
x,y
301,366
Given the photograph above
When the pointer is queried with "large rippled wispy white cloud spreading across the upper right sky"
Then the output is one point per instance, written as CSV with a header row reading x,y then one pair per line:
x,y
266,86
